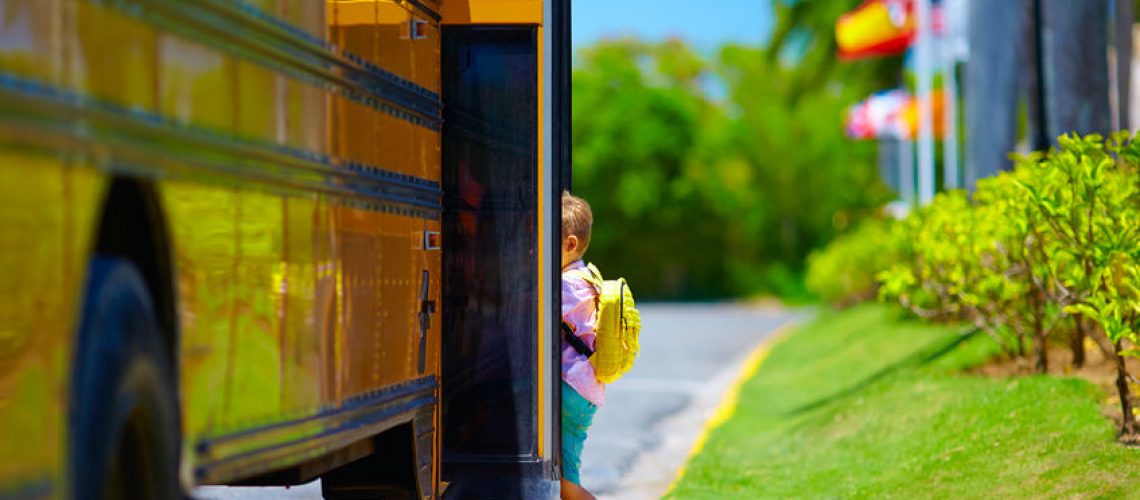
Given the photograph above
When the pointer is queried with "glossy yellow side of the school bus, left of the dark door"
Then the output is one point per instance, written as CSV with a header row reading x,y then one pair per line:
x,y
295,294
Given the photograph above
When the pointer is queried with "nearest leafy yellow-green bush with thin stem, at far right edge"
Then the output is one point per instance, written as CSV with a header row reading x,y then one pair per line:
x,y
1086,204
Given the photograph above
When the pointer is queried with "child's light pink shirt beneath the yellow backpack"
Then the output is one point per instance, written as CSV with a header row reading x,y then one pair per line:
x,y
580,310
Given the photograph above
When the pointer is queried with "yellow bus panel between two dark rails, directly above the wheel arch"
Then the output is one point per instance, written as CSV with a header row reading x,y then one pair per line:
x,y
109,36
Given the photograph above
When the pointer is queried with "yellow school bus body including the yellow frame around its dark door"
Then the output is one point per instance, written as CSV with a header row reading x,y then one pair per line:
x,y
296,150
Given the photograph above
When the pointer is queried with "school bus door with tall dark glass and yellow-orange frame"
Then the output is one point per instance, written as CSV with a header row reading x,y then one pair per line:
x,y
501,378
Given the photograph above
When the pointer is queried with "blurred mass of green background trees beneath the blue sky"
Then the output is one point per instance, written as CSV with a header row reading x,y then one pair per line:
x,y
715,176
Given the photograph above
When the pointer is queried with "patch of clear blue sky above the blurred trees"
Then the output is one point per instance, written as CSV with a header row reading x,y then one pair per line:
x,y
704,23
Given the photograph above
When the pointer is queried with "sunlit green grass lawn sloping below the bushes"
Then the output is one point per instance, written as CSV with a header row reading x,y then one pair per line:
x,y
860,404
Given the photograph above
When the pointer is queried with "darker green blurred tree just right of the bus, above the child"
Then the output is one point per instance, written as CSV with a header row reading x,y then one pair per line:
x,y
637,111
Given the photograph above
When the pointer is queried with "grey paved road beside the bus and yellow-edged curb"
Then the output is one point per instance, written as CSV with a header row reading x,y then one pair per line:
x,y
642,436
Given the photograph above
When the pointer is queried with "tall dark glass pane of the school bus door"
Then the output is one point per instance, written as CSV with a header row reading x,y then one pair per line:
x,y
491,260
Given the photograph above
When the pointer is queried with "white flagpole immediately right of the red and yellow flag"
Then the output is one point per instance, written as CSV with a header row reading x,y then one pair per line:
x,y
924,68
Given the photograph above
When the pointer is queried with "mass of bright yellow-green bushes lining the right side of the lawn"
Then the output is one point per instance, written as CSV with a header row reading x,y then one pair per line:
x,y
1049,249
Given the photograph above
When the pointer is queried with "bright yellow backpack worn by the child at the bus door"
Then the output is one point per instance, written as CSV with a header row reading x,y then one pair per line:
x,y
618,326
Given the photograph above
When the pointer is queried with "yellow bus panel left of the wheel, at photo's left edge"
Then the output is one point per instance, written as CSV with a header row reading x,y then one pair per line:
x,y
36,314
